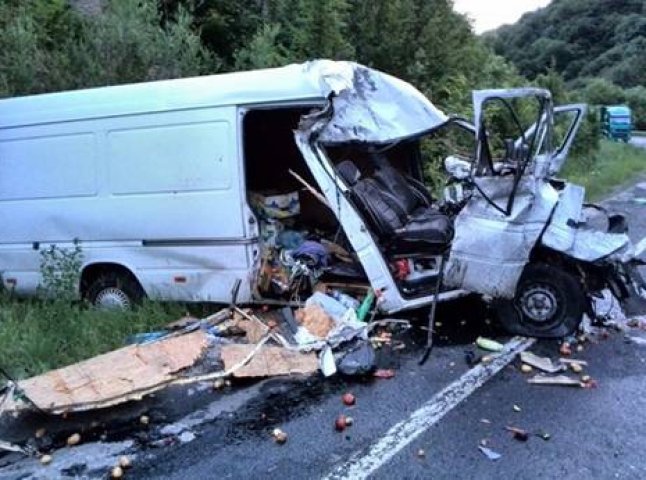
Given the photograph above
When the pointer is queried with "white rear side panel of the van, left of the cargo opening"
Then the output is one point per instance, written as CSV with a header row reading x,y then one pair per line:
x,y
159,193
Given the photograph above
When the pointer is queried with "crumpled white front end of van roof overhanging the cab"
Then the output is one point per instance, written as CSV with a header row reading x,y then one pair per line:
x,y
368,106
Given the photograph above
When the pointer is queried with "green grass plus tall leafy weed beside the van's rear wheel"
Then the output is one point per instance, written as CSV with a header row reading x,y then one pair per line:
x,y
58,329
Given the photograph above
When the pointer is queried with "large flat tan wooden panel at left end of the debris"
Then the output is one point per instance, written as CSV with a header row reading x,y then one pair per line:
x,y
115,377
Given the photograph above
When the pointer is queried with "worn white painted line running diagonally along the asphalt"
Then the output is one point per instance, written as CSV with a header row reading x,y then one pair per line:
x,y
362,463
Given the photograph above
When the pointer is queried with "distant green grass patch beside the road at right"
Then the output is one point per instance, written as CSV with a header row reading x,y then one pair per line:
x,y
612,165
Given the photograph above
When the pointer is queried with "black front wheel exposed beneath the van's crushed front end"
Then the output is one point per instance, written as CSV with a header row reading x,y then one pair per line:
x,y
549,303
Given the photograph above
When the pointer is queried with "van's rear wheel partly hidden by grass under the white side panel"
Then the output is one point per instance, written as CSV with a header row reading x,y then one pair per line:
x,y
115,291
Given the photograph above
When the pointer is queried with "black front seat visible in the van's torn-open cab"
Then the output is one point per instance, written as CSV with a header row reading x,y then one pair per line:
x,y
423,230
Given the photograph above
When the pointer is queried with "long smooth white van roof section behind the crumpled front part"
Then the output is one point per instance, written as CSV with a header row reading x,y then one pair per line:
x,y
289,83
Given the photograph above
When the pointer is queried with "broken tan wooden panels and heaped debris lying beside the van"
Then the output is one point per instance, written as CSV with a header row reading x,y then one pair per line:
x,y
324,334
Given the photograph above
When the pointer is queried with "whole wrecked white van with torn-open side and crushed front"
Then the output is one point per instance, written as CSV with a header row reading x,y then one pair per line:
x,y
263,186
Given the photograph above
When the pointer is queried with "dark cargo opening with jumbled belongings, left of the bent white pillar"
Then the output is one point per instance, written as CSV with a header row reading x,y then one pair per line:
x,y
303,247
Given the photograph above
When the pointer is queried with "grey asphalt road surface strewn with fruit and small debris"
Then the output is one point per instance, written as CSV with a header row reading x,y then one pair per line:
x,y
594,433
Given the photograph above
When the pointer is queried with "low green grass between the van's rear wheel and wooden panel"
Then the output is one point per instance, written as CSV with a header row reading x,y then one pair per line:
x,y
37,336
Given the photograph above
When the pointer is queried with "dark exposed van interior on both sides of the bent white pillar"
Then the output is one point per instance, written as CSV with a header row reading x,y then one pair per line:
x,y
303,247
